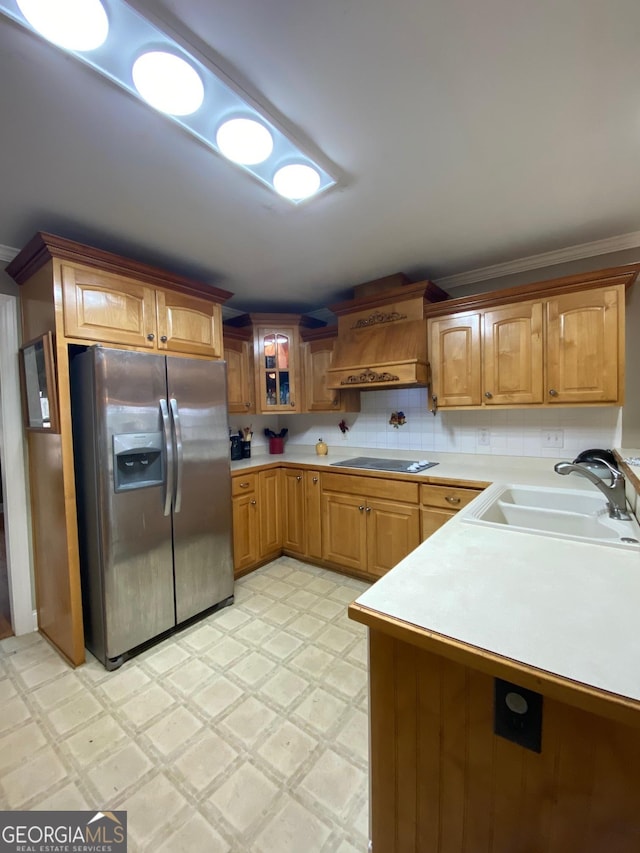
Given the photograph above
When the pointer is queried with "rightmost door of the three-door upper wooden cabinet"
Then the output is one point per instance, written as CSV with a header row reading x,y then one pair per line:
x,y
585,345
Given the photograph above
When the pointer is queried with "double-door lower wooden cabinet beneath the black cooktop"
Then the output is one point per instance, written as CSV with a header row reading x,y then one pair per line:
x,y
369,524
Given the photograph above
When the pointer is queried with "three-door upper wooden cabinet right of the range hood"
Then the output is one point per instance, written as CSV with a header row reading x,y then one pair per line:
x,y
564,348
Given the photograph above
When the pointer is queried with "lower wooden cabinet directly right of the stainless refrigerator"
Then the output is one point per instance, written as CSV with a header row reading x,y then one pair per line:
x,y
257,529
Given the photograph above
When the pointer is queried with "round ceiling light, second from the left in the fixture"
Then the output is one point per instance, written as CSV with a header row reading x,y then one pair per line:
x,y
168,83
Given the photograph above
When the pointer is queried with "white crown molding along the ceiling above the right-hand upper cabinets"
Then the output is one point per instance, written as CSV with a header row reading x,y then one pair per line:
x,y
546,259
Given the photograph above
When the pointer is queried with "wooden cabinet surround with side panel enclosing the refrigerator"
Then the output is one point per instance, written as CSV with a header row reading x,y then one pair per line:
x,y
85,296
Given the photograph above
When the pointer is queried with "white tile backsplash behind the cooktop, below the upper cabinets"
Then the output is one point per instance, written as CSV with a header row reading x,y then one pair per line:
x,y
561,432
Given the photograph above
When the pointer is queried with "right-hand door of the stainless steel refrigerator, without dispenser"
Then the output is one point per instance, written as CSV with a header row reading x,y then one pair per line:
x,y
203,564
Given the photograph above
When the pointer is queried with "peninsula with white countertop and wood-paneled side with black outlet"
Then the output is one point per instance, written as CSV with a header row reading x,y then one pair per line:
x,y
469,610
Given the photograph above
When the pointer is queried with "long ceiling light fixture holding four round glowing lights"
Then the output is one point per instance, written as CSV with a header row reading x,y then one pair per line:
x,y
182,83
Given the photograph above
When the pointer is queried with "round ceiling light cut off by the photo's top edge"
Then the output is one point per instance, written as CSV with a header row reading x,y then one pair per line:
x,y
72,24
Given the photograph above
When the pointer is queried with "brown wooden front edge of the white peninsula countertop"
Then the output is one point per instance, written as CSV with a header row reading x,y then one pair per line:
x,y
575,693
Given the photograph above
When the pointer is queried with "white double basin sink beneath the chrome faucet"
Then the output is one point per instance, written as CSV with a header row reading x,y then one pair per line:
x,y
563,513
